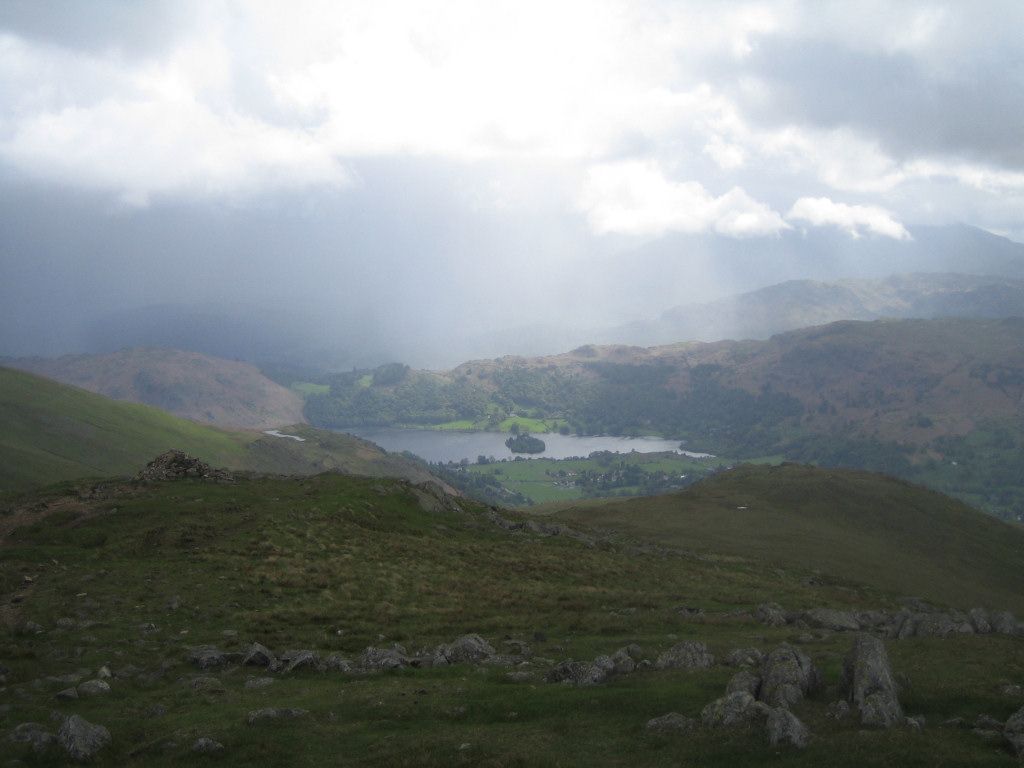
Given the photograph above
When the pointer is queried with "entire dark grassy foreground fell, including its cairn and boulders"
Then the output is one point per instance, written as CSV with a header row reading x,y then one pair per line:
x,y
192,615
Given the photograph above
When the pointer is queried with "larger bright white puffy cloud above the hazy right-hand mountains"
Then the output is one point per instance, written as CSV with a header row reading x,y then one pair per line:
x,y
635,198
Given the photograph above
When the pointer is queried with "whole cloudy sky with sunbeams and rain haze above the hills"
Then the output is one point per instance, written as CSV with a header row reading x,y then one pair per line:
x,y
365,172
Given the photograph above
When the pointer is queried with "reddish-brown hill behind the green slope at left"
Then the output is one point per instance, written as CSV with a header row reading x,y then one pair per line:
x,y
211,391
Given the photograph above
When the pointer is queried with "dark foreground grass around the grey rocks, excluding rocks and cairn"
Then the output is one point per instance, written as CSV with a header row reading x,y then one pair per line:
x,y
138,579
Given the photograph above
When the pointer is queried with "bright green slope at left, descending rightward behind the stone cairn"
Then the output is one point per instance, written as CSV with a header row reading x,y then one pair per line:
x,y
52,433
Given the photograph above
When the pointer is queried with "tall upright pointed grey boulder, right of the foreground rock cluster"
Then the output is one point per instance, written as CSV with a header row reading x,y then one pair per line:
x,y
869,680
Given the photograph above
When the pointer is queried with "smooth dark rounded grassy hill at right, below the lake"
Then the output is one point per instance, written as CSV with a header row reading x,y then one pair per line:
x,y
855,527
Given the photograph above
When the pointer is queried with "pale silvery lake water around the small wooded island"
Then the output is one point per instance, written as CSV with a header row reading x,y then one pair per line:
x,y
439,446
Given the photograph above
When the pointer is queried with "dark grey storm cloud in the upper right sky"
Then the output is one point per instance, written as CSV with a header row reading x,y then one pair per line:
x,y
975,112
